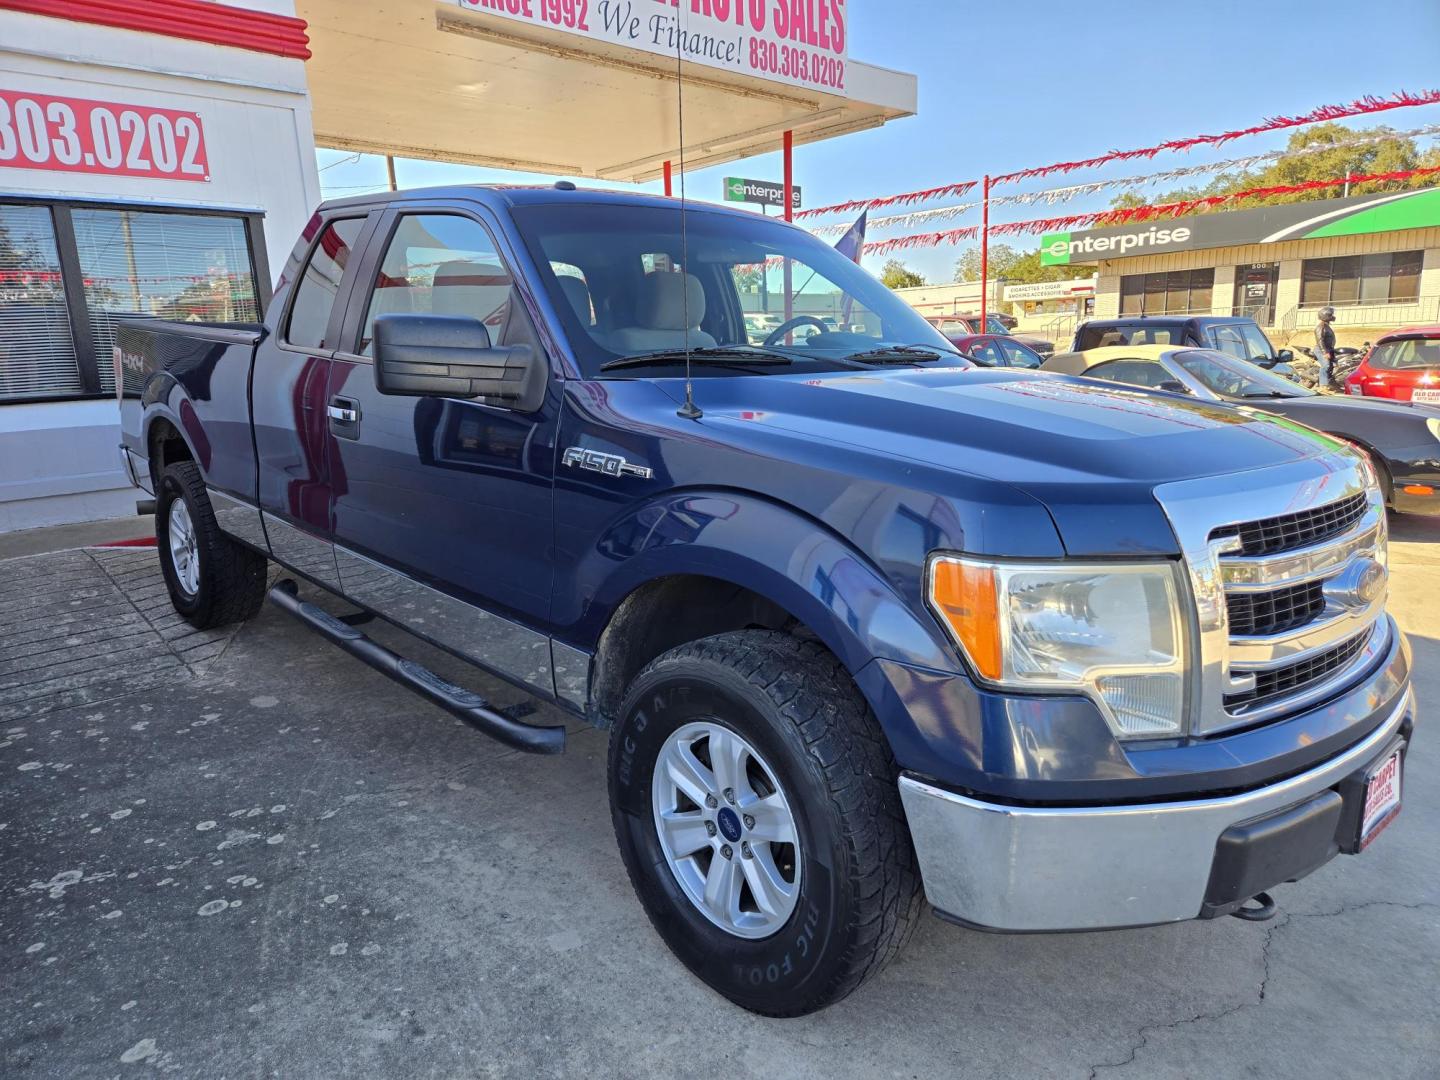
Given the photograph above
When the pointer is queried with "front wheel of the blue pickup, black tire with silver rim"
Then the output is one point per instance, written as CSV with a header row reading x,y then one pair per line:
x,y
758,745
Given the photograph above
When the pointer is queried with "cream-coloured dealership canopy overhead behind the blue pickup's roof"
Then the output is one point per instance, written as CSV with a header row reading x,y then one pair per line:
x,y
588,87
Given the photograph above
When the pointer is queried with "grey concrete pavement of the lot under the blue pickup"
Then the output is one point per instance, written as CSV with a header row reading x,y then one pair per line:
x,y
246,855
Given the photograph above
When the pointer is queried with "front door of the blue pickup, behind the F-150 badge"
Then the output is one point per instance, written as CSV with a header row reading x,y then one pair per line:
x,y
443,508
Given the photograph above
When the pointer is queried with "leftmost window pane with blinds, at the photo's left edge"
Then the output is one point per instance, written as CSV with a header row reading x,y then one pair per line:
x,y
37,351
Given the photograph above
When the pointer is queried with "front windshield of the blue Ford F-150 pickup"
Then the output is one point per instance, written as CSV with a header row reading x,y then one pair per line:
x,y
629,282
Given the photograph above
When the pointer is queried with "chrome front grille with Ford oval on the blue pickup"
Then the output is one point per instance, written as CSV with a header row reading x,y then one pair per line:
x,y
1290,607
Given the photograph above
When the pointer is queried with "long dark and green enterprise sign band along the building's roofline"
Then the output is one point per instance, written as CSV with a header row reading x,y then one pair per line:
x,y
1363,214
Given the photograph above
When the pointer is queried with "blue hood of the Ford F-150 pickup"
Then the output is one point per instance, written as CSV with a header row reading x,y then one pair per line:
x,y
1091,454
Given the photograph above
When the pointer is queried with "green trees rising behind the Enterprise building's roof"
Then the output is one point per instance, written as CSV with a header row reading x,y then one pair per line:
x,y
1341,159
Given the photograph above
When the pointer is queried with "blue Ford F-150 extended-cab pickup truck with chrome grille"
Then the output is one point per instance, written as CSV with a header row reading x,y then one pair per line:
x,y
865,620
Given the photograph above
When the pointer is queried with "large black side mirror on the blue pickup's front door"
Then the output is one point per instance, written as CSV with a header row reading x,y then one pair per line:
x,y
447,356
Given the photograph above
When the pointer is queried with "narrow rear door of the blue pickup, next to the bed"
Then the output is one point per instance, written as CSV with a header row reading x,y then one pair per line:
x,y
289,404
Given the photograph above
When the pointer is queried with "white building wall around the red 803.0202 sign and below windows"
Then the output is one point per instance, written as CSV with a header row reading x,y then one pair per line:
x,y
58,462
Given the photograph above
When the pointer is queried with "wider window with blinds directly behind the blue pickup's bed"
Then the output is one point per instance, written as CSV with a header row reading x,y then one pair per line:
x,y
162,266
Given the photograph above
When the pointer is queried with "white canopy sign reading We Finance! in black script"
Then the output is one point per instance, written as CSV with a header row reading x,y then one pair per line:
x,y
800,42
